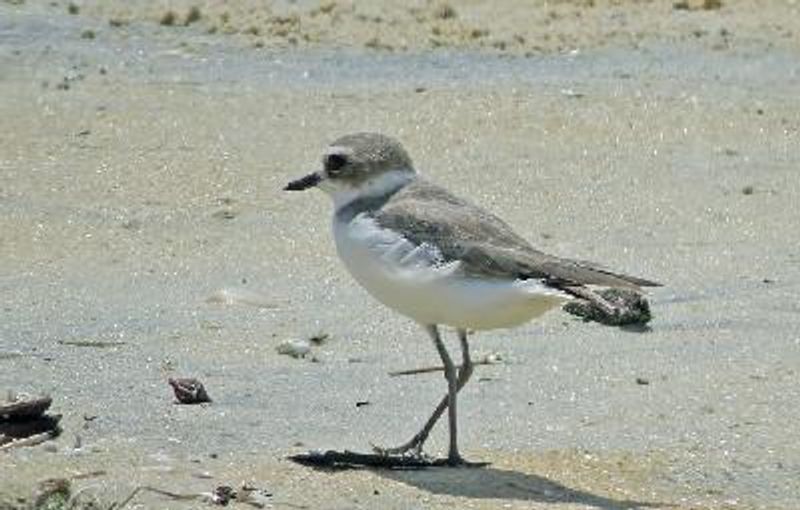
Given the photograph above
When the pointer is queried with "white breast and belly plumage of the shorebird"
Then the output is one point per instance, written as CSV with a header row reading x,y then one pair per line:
x,y
414,281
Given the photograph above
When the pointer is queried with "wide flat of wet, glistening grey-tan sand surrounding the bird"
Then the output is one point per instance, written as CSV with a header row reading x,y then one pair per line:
x,y
140,173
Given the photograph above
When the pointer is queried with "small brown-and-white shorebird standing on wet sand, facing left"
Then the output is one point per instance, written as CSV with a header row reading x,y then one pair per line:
x,y
440,259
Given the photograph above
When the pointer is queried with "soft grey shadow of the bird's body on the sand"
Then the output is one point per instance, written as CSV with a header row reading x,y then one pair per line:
x,y
494,483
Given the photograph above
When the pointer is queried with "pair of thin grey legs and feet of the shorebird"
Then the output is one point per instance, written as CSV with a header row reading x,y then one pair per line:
x,y
416,442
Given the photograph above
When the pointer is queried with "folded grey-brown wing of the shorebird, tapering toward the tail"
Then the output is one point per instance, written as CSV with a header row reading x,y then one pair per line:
x,y
484,244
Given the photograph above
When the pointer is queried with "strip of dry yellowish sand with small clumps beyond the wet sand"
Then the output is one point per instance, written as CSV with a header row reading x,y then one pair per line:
x,y
508,27
